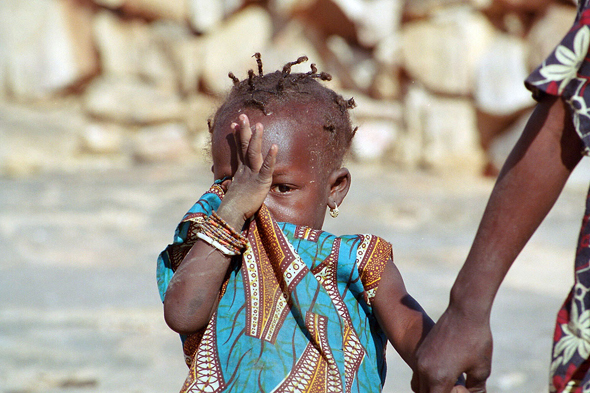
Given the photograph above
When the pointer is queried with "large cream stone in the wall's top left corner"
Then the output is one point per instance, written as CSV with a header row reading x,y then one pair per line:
x,y
45,47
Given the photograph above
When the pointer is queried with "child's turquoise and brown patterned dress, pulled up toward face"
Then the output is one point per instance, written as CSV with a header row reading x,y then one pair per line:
x,y
294,311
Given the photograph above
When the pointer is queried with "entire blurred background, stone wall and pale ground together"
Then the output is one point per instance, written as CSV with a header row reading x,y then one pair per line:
x,y
93,90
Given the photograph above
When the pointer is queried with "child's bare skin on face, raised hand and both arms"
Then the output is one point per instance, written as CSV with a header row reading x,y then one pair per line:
x,y
280,163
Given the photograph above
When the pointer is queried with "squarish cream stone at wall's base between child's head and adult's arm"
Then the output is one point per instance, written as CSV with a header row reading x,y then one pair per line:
x,y
441,134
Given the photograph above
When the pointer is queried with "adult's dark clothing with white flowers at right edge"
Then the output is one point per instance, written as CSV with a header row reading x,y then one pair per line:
x,y
566,73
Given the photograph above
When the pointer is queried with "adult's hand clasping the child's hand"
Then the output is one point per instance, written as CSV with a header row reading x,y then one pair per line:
x,y
457,344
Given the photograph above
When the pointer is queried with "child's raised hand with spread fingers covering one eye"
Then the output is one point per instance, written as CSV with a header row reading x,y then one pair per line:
x,y
253,178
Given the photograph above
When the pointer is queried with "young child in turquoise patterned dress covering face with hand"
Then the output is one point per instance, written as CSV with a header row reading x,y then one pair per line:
x,y
263,299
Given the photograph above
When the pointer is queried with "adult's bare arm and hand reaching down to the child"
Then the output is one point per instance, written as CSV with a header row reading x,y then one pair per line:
x,y
528,186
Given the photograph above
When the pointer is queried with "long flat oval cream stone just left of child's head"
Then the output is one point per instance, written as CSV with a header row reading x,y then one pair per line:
x,y
131,101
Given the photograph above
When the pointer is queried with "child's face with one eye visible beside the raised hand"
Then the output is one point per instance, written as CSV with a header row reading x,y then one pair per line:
x,y
300,190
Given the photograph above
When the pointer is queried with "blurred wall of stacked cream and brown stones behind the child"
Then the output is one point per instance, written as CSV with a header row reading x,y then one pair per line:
x,y
88,84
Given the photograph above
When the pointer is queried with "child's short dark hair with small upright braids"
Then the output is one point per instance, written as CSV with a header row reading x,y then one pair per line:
x,y
271,92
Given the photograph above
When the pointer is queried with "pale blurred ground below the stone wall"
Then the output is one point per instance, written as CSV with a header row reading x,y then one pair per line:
x,y
80,310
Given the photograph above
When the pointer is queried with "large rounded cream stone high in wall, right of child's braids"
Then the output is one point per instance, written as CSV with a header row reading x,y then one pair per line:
x,y
442,52
